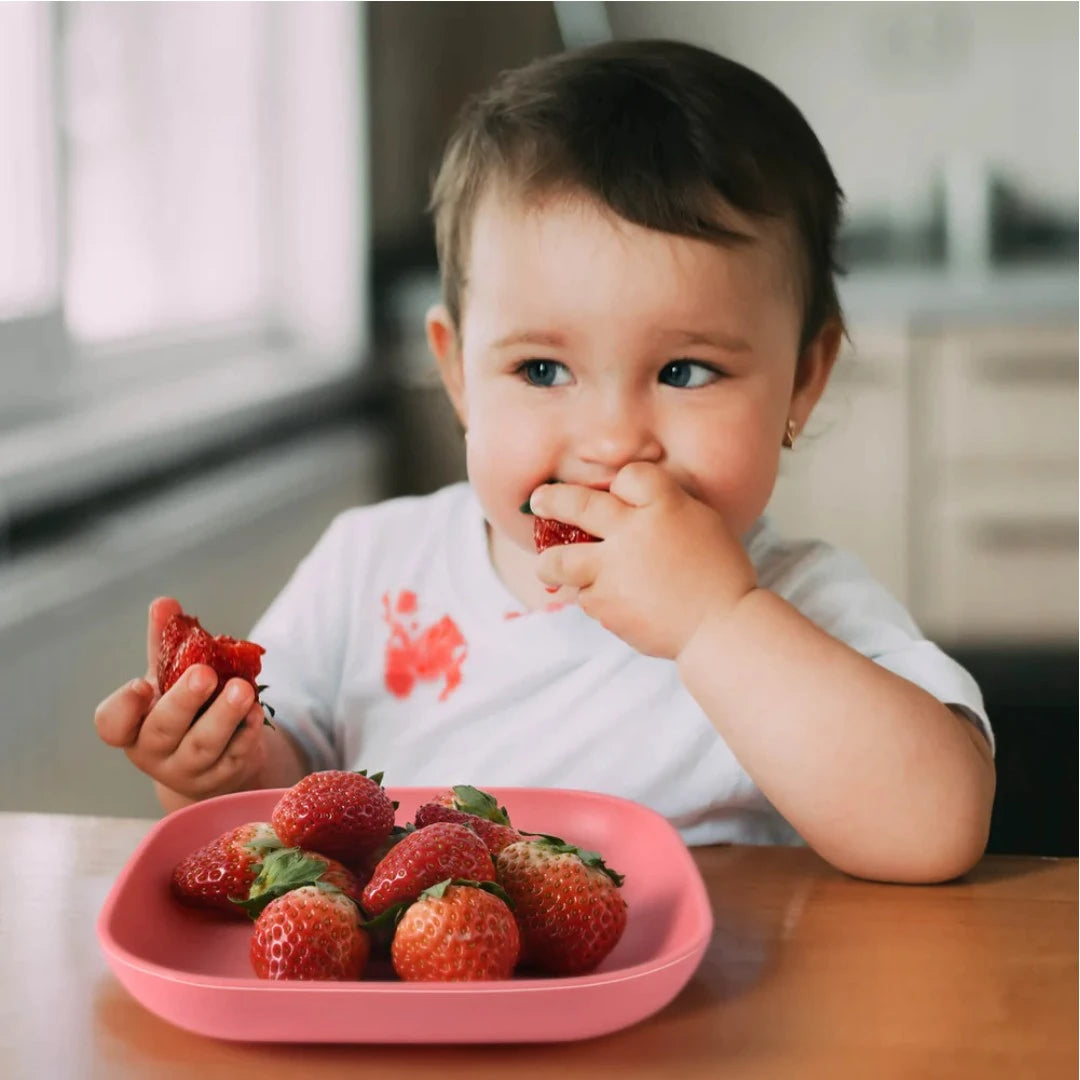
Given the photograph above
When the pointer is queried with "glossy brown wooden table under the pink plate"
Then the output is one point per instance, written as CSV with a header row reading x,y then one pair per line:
x,y
809,975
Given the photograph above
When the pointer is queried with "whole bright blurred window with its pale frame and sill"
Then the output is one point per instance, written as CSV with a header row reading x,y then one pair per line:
x,y
179,182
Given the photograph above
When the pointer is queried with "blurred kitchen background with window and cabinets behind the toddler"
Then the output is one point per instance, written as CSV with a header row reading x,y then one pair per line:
x,y
215,259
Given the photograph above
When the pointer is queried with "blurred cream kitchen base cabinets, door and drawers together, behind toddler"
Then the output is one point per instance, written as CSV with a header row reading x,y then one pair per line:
x,y
947,460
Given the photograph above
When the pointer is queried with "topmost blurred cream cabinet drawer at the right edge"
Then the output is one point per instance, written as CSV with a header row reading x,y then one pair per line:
x,y
1003,397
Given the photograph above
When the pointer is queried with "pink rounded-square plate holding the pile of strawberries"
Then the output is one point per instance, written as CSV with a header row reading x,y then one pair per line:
x,y
193,969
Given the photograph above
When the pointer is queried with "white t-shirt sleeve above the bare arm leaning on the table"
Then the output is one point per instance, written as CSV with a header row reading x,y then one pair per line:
x,y
835,590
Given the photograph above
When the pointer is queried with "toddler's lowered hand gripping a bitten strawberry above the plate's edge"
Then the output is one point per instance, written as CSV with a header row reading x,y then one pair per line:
x,y
223,751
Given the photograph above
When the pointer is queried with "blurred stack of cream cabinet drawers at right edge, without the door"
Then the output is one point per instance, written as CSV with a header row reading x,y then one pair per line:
x,y
995,467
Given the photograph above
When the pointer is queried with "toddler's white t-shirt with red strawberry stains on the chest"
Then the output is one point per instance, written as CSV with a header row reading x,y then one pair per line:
x,y
396,649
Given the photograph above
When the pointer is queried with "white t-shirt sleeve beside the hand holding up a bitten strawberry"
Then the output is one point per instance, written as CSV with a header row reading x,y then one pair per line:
x,y
304,632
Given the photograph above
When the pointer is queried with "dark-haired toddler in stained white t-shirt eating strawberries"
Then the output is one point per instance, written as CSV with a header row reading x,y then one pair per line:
x,y
637,247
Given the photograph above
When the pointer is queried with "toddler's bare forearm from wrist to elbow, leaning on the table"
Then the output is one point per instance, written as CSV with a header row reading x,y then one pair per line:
x,y
876,775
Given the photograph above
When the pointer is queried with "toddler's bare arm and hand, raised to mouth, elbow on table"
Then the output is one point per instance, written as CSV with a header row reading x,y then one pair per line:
x,y
877,776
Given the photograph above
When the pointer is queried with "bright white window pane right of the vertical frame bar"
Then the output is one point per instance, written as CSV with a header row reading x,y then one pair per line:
x,y
168,187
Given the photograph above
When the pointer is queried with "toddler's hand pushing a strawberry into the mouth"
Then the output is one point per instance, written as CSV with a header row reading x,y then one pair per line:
x,y
666,561
